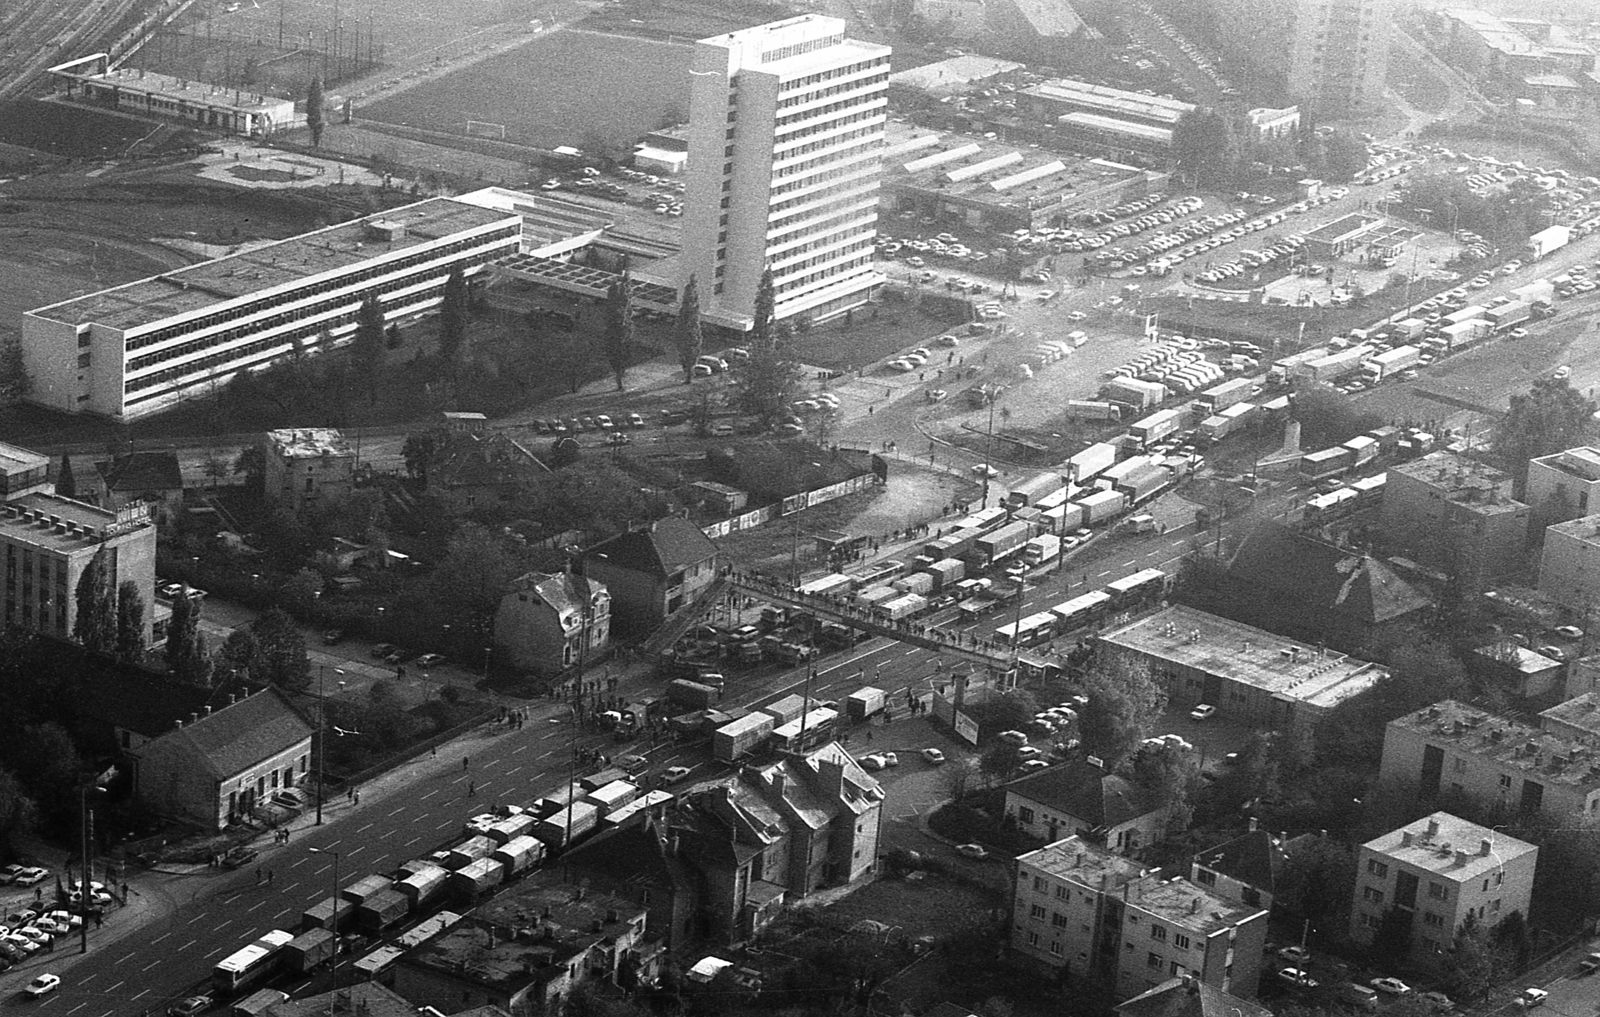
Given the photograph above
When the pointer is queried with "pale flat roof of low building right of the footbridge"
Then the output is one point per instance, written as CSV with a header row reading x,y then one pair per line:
x,y
1244,653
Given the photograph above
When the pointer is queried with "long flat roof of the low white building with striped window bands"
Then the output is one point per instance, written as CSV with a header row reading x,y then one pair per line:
x,y
242,276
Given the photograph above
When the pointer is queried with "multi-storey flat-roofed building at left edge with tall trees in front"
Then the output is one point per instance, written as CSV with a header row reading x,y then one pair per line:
x,y
46,544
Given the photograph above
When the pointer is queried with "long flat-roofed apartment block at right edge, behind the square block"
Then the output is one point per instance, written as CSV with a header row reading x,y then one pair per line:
x,y
1457,754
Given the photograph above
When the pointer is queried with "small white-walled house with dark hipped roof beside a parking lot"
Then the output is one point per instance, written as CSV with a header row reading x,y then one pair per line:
x,y
1086,800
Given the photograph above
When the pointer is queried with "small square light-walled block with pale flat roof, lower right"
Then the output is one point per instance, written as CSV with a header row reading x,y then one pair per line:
x,y
1438,874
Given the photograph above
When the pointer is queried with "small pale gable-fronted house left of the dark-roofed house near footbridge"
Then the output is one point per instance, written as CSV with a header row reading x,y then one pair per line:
x,y
546,621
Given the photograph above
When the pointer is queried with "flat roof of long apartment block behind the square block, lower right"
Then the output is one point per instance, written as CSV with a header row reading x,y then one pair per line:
x,y
1510,743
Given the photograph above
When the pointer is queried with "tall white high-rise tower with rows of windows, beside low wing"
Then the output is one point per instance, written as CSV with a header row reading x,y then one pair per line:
x,y
786,138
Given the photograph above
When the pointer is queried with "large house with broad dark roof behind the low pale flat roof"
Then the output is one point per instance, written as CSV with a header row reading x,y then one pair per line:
x,y
1314,591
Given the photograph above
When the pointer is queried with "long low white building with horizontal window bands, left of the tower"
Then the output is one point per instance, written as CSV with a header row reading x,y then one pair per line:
x,y
137,349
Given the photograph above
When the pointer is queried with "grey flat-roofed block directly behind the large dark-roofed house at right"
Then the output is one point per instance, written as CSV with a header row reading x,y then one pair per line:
x,y
1457,516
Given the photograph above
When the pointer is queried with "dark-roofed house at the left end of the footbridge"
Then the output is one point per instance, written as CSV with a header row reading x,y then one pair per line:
x,y
654,573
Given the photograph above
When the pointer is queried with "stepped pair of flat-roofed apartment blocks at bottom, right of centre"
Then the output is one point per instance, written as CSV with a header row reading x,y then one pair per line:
x,y
1090,912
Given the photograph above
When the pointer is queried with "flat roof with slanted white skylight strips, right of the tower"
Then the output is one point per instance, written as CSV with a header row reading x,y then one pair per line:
x,y
988,172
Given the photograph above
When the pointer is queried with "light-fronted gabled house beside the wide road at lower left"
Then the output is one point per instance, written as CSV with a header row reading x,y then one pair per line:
x,y
215,767
